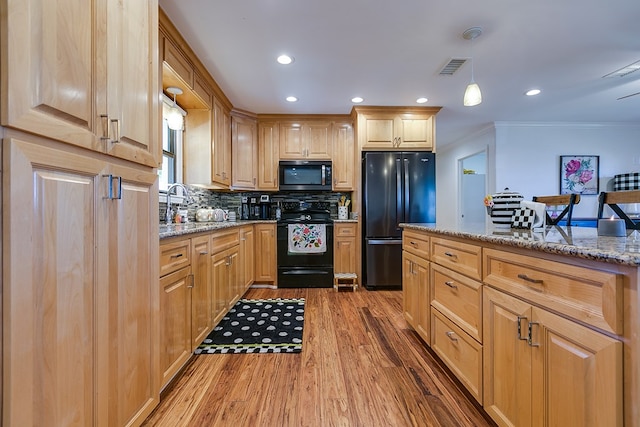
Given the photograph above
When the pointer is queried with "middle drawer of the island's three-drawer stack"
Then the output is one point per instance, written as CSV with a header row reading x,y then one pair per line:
x,y
459,298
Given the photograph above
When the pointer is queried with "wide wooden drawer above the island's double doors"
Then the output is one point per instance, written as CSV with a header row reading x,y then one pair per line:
x,y
585,294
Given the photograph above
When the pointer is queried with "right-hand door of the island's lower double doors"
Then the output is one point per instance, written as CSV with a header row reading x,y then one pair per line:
x,y
577,374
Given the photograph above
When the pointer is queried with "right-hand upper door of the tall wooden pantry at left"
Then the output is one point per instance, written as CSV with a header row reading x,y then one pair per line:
x,y
133,81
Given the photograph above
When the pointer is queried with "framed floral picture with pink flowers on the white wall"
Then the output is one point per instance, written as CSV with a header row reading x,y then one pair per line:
x,y
579,174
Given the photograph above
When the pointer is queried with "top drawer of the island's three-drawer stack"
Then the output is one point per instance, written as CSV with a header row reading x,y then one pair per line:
x,y
461,257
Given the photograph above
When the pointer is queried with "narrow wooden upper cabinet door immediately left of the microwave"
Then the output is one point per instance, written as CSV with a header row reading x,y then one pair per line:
x,y
268,155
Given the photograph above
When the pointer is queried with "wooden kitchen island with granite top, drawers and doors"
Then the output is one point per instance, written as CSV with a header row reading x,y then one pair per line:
x,y
540,327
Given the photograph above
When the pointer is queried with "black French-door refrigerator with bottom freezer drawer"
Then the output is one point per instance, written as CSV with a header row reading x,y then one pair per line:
x,y
398,187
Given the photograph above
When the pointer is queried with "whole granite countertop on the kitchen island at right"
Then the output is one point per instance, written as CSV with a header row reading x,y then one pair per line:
x,y
579,242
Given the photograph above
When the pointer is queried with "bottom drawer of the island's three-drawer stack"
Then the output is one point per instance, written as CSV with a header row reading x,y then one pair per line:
x,y
461,353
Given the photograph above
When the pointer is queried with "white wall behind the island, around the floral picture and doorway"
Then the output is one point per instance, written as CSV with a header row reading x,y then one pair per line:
x,y
525,157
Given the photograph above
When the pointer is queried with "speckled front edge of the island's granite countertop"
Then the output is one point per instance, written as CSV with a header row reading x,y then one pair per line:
x,y
590,253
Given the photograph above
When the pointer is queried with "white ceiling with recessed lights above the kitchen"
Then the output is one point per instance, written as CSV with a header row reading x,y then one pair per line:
x,y
391,51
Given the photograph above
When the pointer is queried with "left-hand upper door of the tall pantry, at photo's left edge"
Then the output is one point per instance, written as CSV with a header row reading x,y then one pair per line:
x,y
50,66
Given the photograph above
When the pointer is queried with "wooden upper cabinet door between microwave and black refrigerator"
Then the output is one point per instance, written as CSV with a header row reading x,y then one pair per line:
x,y
343,154
